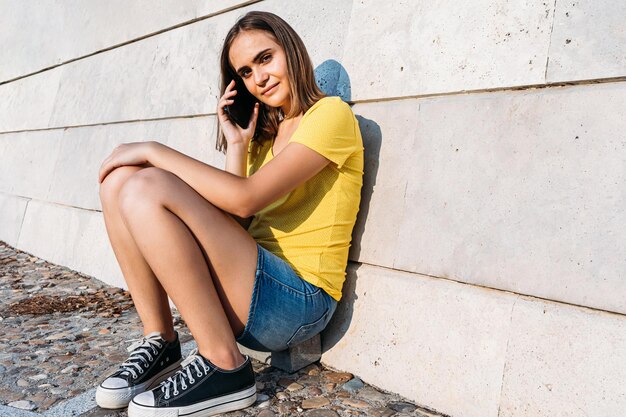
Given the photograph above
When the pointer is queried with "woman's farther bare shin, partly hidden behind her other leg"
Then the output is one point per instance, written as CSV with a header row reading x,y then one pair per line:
x,y
148,295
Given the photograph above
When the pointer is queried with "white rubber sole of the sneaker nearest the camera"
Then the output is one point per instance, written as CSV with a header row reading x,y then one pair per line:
x,y
224,404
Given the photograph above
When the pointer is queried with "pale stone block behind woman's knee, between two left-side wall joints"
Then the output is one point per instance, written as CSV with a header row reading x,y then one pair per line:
x,y
64,168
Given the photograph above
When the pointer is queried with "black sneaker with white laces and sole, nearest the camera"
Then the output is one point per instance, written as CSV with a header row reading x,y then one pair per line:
x,y
198,389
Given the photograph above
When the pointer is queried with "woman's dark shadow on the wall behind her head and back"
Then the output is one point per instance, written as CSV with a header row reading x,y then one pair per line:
x,y
333,80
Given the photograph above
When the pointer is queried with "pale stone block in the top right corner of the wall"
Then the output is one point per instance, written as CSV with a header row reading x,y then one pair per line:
x,y
587,41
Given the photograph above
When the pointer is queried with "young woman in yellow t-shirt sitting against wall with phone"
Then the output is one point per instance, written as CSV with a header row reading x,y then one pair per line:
x,y
179,228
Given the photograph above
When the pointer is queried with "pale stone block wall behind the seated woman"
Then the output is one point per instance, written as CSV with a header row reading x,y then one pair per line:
x,y
487,273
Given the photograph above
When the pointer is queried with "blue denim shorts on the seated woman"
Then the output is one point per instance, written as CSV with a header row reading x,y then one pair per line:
x,y
285,309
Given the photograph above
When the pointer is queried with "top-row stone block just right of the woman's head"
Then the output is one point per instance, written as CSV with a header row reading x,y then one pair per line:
x,y
417,48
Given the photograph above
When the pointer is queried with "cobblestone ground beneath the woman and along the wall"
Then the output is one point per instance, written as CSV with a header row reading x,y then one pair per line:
x,y
61,331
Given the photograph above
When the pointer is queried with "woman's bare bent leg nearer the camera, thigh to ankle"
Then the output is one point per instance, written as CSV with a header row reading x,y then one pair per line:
x,y
177,231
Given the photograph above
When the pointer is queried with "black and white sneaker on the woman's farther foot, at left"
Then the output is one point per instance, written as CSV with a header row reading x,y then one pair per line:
x,y
152,360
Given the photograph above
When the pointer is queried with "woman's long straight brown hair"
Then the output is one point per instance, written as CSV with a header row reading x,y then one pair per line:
x,y
303,89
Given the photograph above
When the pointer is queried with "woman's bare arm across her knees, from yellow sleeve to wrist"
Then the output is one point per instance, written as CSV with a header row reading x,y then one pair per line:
x,y
242,196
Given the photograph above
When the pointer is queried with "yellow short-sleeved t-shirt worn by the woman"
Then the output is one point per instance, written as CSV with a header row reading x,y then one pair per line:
x,y
311,227
